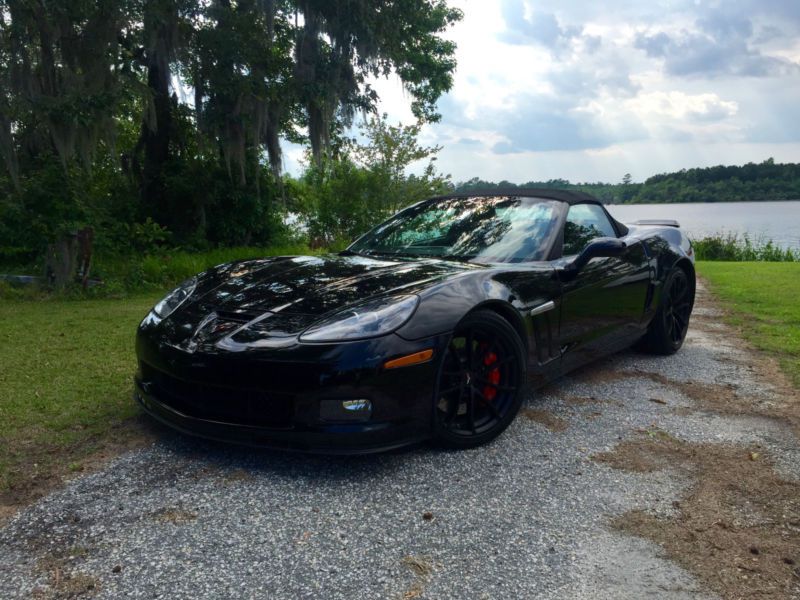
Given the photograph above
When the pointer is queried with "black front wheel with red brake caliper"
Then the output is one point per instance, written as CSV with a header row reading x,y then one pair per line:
x,y
479,382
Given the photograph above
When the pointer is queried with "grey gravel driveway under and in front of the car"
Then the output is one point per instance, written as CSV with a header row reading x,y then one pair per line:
x,y
526,517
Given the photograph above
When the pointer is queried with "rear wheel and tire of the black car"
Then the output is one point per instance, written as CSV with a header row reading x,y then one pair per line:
x,y
668,328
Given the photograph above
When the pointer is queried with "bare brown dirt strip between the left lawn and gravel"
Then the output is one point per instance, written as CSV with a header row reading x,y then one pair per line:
x,y
40,470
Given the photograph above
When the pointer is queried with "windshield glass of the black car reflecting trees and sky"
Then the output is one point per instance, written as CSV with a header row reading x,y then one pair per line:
x,y
481,229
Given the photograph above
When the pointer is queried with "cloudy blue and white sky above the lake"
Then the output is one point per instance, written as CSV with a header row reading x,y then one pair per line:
x,y
589,91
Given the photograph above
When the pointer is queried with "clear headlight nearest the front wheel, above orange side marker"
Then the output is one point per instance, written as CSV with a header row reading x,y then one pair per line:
x,y
369,319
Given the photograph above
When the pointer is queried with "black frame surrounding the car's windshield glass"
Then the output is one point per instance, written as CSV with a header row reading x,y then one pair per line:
x,y
550,246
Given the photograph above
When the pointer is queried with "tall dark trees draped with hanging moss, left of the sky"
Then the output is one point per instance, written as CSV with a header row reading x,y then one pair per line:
x,y
96,129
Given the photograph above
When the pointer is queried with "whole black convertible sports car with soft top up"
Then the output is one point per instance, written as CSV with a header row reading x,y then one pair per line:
x,y
426,327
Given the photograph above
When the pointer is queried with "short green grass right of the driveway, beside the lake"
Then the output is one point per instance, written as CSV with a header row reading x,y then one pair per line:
x,y
764,302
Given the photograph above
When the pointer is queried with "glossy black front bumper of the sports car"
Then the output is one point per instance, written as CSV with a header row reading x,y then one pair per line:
x,y
260,401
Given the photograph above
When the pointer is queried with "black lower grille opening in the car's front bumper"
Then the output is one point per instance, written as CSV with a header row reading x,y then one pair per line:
x,y
217,403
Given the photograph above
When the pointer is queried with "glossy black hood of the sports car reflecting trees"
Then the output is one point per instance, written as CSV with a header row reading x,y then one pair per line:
x,y
277,298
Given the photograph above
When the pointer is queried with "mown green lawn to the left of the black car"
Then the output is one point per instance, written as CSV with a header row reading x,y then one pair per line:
x,y
65,386
